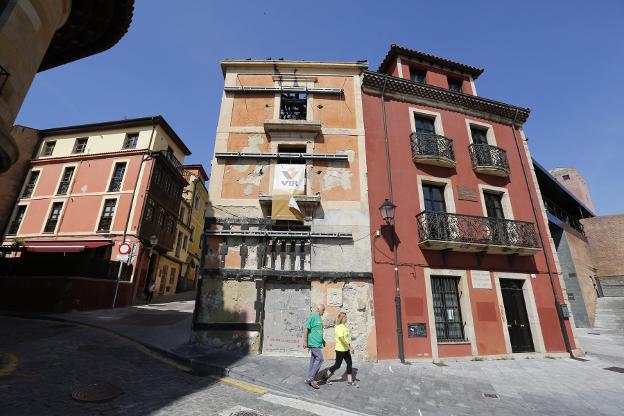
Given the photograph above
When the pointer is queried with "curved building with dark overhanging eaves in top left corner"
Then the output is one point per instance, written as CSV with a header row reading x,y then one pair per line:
x,y
36,35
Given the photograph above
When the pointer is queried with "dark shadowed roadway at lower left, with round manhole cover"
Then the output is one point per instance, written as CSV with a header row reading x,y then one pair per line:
x,y
54,359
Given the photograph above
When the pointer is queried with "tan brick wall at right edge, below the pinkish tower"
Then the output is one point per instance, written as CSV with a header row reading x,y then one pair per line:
x,y
606,242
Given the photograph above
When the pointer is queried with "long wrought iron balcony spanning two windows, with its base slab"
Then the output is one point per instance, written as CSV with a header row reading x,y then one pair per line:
x,y
468,233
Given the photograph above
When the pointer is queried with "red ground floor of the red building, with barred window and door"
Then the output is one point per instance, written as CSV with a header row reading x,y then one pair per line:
x,y
455,313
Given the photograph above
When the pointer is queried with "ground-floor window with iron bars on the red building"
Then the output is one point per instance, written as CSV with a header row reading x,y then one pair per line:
x,y
448,319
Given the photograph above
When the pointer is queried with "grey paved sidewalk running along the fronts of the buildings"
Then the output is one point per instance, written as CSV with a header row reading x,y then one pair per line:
x,y
523,386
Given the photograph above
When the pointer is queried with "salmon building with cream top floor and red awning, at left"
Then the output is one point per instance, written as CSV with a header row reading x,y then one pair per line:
x,y
88,189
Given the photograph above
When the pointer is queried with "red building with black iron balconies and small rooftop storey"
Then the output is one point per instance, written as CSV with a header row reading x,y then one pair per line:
x,y
475,270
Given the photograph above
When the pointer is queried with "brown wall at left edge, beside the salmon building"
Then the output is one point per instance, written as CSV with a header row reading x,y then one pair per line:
x,y
12,180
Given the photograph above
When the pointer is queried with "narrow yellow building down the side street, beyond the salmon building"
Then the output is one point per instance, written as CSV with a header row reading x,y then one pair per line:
x,y
177,270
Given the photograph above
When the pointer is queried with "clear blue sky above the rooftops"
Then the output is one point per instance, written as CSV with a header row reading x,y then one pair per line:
x,y
563,59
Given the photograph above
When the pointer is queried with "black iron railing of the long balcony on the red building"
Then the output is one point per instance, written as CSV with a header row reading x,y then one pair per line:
x,y
442,226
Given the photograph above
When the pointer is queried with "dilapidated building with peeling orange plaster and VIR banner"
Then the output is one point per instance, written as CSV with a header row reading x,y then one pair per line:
x,y
287,221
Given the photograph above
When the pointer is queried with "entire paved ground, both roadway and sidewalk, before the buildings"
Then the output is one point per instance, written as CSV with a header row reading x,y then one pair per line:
x,y
55,358
